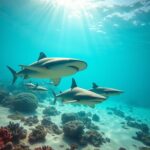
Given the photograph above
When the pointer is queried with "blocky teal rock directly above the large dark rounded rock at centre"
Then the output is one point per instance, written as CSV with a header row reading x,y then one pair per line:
x,y
66,117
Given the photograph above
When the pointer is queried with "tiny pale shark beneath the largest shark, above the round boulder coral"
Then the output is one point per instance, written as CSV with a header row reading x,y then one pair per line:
x,y
35,87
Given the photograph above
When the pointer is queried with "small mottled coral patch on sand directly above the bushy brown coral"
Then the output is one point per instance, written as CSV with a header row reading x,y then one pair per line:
x,y
30,121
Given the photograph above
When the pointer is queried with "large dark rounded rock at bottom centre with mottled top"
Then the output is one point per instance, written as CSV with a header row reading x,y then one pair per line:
x,y
73,129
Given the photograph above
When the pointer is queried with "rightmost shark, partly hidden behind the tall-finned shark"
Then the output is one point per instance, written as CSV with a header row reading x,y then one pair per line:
x,y
105,91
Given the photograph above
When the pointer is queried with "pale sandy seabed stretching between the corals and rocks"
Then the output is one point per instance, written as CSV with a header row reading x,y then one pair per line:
x,y
109,124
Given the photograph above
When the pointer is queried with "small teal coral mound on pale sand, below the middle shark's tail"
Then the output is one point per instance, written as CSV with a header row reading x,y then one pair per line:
x,y
50,111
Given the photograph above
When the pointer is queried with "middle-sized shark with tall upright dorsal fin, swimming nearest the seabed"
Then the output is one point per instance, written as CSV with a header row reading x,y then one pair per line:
x,y
79,95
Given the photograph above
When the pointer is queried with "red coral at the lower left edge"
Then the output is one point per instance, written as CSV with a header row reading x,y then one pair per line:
x,y
5,137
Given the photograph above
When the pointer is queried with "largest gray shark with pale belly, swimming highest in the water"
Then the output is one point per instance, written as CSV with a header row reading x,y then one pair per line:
x,y
52,68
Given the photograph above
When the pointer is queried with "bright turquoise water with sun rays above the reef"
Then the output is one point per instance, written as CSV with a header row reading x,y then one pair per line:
x,y
112,37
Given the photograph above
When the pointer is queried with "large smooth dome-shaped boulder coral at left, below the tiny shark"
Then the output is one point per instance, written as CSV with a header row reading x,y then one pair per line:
x,y
25,102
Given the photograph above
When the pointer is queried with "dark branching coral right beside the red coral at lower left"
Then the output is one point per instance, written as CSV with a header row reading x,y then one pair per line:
x,y
17,132
